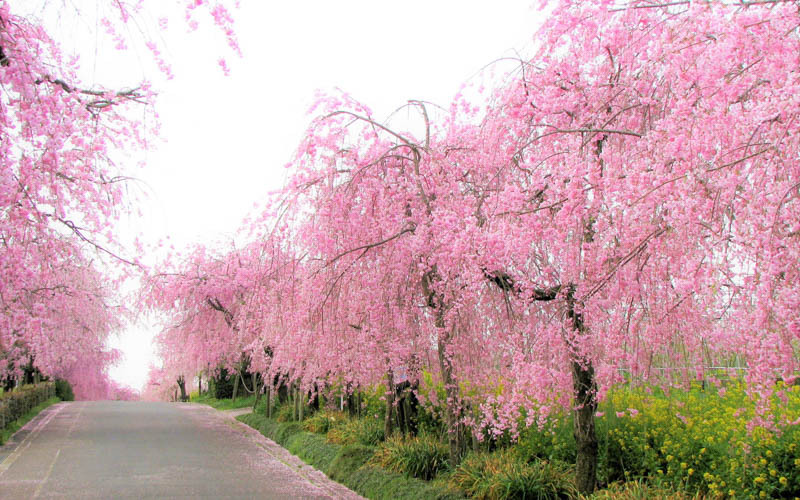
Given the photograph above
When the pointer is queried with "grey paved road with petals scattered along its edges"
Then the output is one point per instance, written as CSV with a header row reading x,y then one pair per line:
x,y
152,450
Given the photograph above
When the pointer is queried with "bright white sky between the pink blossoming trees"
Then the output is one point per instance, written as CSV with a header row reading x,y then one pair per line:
x,y
228,138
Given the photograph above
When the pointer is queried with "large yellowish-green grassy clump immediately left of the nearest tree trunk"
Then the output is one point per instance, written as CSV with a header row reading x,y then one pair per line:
x,y
503,475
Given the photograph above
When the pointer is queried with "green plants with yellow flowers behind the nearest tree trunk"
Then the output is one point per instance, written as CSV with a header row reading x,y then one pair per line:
x,y
694,441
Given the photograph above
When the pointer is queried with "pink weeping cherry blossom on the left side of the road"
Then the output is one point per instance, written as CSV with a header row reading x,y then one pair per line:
x,y
63,186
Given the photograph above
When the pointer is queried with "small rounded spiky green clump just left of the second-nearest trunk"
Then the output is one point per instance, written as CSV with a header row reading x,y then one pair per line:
x,y
422,457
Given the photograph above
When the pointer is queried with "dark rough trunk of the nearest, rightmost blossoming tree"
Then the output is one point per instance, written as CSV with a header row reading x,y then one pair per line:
x,y
584,388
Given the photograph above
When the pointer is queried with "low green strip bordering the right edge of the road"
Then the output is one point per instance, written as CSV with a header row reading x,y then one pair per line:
x,y
347,464
